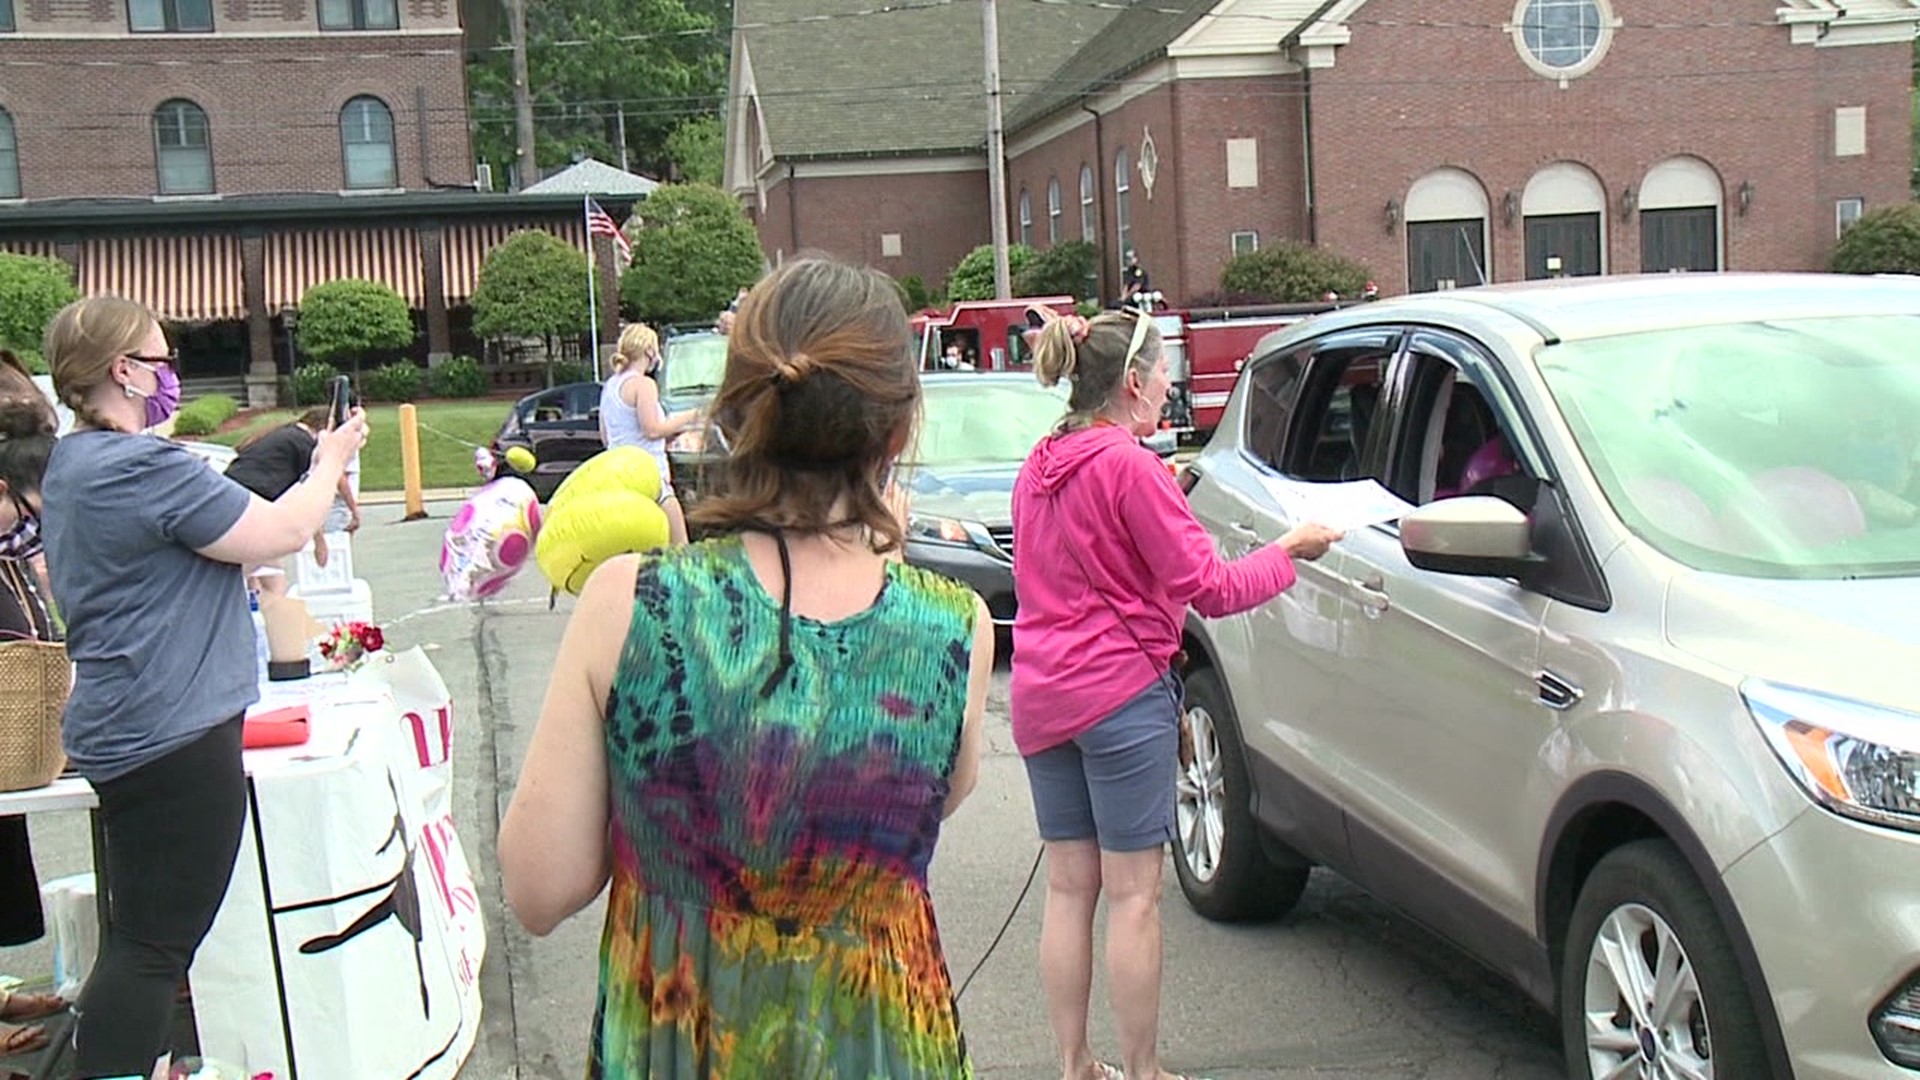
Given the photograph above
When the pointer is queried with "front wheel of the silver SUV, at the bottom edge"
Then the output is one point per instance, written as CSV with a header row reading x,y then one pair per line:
x,y
1650,985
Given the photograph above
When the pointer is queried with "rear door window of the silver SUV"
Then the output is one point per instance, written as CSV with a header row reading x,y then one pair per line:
x,y
1335,399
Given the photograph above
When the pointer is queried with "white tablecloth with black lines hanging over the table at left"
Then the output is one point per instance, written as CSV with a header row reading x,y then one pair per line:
x,y
350,941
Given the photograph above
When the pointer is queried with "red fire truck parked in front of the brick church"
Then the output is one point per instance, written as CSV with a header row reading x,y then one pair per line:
x,y
1205,347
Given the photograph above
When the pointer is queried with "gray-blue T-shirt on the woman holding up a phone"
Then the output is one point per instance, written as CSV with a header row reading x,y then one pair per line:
x,y
160,635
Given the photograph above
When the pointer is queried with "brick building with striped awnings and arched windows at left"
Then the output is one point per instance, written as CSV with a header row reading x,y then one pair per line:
x,y
214,159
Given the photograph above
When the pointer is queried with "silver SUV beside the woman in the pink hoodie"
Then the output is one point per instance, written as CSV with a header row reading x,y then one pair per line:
x,y
1629,706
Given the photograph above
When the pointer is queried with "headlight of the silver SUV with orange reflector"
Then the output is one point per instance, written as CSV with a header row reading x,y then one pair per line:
x,y
1854,758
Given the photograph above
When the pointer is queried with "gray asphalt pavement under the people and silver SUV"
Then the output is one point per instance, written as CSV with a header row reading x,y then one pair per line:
x,y
1341,987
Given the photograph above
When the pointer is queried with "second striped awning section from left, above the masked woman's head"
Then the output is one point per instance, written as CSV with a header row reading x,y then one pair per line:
x,y
185,280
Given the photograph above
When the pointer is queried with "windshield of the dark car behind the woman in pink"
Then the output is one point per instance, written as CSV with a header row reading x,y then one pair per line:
x,y
978,422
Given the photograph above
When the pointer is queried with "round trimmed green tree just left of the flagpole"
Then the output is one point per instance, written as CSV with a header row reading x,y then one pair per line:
x,y
535,285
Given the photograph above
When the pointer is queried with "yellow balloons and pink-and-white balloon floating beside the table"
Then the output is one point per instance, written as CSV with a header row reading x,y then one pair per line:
x,y
608,506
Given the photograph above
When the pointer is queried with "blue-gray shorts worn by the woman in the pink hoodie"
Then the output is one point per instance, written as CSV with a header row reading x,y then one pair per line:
x,y
1115,781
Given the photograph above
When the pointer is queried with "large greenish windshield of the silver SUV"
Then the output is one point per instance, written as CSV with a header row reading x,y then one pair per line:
x,y
1760,449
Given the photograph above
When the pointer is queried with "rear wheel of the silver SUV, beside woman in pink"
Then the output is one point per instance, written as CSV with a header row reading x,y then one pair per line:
x,y
1216,843
